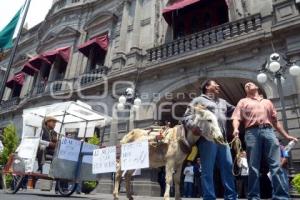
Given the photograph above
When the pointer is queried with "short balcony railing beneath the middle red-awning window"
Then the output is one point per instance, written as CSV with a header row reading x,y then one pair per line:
x,y
93,76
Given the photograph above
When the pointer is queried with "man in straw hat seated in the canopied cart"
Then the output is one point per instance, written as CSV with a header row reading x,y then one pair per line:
x,y
50,136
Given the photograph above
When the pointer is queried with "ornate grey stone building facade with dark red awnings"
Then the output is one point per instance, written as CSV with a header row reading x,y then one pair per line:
x,y
165,54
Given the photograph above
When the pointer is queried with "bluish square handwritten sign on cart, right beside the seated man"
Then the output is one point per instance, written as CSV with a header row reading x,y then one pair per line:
x,y
69,149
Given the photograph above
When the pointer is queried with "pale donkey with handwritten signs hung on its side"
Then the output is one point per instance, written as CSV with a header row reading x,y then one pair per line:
x,y
171,153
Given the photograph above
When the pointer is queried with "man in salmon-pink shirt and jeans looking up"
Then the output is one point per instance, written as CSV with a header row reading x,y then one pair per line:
x,y
259,117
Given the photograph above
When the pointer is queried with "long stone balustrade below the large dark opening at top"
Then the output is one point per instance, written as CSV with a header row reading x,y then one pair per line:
x,y
205,38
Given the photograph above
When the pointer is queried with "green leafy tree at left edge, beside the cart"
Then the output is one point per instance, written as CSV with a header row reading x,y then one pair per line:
x,y
10,142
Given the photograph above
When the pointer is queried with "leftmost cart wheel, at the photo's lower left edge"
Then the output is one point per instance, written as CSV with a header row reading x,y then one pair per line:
x,y
11,182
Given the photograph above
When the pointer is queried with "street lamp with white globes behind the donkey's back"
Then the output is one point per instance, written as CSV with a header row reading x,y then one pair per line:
x,y
128,100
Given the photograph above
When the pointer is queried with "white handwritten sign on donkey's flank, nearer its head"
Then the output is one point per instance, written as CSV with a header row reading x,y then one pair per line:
x,y
135,155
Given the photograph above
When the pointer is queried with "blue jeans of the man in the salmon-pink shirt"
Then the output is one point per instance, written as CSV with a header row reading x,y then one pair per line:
x,y
259,143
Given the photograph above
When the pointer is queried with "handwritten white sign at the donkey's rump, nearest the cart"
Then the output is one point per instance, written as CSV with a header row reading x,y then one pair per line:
x,y
104,160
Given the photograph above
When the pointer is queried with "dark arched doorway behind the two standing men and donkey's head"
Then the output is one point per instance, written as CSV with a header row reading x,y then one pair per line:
x,y
173,106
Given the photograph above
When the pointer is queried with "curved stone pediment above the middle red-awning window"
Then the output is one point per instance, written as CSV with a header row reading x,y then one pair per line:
x,y
100,18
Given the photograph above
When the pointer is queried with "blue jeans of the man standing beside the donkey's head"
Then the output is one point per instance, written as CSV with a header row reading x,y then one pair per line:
x,y
209,154
